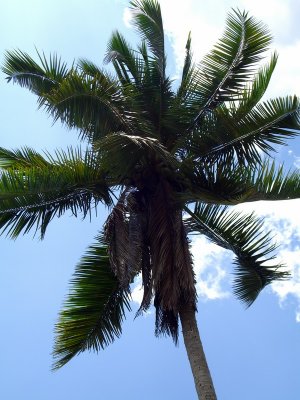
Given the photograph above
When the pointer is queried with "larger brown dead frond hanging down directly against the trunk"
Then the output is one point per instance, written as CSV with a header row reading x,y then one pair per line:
x,y
172,276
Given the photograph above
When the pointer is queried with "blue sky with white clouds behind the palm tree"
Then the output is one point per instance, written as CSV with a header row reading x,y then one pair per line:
x,y
254,353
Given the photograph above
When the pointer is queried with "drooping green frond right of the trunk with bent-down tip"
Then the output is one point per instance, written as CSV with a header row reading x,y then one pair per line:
x,y
241,234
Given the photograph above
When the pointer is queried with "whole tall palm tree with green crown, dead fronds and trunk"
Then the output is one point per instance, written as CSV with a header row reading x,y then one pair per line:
x,y
168,161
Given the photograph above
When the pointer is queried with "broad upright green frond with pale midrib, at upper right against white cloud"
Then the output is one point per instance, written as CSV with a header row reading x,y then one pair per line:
x,y
223,73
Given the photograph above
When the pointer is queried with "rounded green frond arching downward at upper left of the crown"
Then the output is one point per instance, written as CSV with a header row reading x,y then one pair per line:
x,y
93,105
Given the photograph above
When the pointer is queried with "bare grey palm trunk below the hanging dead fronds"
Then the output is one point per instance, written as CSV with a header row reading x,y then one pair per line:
x,y
203,382
